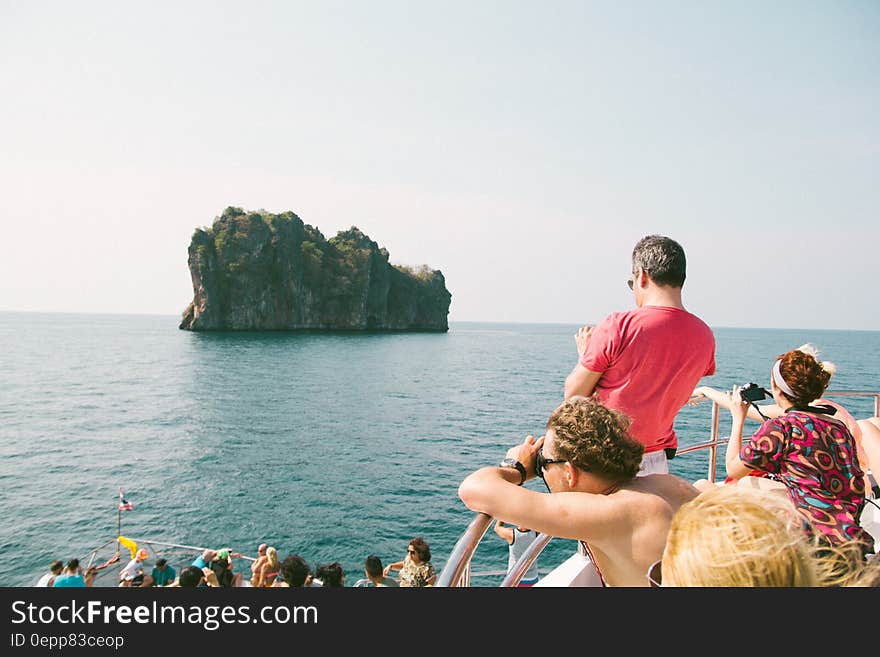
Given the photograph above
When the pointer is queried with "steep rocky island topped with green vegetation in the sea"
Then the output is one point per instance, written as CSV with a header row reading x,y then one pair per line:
x,y
254,271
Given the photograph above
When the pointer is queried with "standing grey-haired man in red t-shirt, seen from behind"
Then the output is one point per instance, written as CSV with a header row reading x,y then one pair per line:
x,y
646,362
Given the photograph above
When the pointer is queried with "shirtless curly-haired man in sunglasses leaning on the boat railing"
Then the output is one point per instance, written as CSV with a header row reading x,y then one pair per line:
x,y
589,463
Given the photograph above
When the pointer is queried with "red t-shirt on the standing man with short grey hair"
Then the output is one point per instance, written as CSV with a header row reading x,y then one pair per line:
x,y
651,359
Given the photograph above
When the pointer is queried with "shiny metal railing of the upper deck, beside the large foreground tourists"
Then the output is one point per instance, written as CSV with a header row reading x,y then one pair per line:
x,y
456,571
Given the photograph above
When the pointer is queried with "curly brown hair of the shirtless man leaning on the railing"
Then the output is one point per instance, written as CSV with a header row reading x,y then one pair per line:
x,y
595,438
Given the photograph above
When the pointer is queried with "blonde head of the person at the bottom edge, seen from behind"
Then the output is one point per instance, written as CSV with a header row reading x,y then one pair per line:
x,y
732,536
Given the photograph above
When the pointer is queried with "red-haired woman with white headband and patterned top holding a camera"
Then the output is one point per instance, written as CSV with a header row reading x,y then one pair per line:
x,y
807,448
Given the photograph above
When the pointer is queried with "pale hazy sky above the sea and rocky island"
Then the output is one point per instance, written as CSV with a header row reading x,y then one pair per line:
x,y
520,147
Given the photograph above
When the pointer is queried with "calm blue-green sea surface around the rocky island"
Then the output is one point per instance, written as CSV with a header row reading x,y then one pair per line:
x,y
333,446
